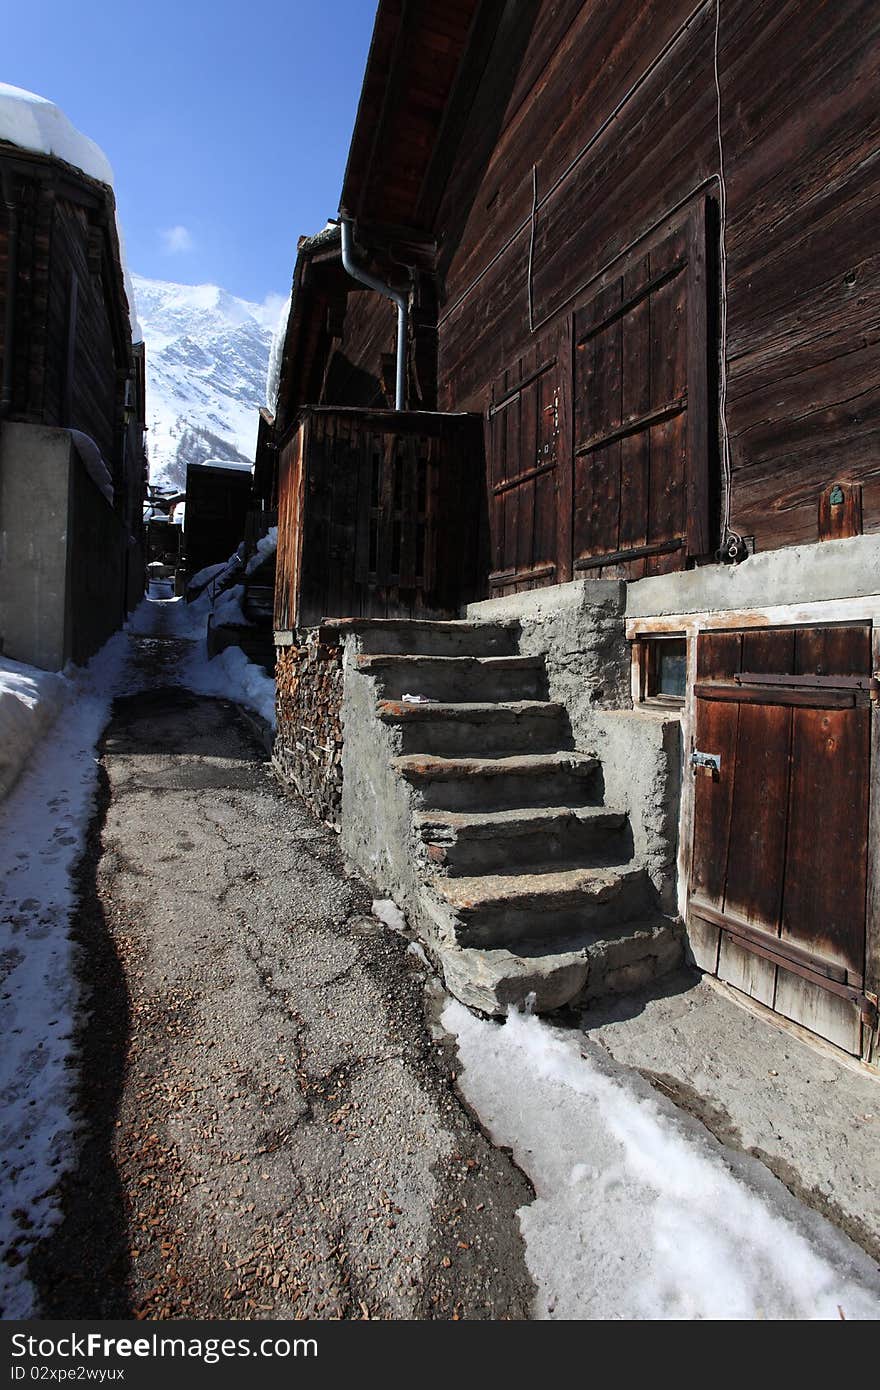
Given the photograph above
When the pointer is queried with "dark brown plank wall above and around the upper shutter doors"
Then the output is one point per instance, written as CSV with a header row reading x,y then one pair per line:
x,y
621,137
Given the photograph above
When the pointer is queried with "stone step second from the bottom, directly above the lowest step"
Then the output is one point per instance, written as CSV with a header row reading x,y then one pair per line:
x,y
508,910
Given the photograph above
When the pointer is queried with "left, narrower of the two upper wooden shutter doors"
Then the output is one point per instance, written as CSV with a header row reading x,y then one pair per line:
x,y
530,482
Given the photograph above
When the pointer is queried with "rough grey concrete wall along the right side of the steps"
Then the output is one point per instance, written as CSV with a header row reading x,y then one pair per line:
x,y
580,630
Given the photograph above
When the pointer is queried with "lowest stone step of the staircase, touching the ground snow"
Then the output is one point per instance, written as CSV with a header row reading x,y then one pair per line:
x,y
548,978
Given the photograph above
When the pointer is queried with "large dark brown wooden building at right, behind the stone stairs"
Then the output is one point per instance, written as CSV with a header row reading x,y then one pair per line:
x,y
639,244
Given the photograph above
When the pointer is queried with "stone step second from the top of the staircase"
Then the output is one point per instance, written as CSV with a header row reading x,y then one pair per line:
x,y
458,679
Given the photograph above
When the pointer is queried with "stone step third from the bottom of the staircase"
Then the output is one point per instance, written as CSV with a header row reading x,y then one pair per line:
x,y
508,842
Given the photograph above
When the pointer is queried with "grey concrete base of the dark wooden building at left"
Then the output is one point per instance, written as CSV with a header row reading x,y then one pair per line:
x,y
63,551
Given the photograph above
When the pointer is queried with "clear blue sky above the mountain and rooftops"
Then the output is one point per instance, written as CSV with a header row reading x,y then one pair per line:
x,y
227,122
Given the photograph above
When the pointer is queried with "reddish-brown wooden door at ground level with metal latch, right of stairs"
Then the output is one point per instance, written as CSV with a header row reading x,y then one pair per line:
x,y
779,872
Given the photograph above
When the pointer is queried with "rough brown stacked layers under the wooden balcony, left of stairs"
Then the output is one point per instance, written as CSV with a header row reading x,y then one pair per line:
x,y
309,728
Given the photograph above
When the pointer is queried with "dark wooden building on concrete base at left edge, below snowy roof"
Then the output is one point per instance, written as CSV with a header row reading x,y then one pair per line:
x,y
73,465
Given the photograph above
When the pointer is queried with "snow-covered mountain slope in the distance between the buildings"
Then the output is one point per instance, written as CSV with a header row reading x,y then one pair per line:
x,y
206,358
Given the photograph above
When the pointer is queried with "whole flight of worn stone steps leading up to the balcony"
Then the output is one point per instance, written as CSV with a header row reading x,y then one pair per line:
x,y
522,881
